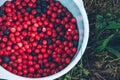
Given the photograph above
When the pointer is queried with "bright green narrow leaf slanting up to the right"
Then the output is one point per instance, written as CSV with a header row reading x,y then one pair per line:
x,y
105,43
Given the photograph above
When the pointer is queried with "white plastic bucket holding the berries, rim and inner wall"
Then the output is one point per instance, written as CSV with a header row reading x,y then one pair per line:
x,y
76,7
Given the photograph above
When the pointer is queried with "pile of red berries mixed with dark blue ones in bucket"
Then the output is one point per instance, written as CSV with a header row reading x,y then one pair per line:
x,y
37,37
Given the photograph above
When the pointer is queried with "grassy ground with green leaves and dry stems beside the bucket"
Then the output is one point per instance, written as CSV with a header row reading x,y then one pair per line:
x,y
101,60
